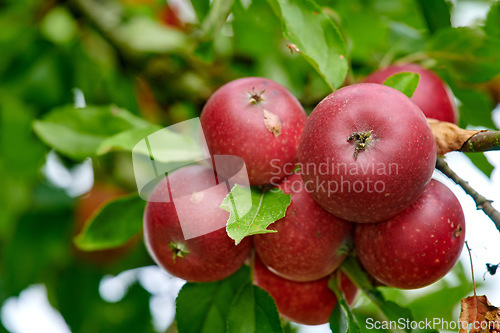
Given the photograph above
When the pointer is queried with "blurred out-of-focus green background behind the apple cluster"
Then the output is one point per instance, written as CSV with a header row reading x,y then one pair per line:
x,y
161,61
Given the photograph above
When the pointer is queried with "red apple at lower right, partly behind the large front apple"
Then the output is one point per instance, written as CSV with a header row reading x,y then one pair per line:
x,y
418,246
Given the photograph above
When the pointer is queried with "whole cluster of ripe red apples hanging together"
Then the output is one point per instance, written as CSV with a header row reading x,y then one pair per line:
x,y
365,157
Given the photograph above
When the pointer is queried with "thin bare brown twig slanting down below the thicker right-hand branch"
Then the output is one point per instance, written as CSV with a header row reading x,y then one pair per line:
x,y
481,202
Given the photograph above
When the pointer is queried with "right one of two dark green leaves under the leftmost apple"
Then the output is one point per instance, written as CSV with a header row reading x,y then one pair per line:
x,y
253,310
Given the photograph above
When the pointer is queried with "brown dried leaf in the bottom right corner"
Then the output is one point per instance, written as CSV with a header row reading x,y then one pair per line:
x,y
477,311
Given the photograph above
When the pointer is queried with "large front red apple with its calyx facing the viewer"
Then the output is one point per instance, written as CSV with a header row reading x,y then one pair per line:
x,y
388,175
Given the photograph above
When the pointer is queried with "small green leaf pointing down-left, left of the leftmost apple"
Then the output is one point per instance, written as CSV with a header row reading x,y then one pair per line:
x,y
114,225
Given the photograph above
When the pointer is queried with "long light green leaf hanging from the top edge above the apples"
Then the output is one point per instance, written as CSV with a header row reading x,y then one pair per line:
x,y
317,37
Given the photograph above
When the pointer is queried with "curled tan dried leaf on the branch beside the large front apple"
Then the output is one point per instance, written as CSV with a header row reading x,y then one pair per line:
x,y
448,136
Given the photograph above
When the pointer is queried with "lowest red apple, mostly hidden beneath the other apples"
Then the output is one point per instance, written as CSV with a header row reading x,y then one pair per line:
x,y
309,303
